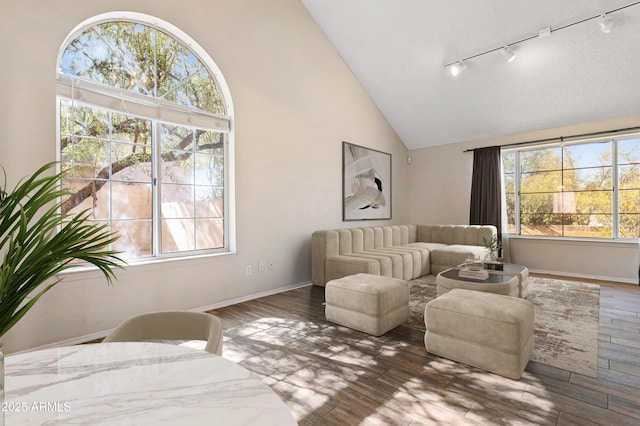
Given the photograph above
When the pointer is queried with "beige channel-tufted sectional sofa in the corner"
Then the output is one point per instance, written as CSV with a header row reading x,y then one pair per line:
x,y
399,251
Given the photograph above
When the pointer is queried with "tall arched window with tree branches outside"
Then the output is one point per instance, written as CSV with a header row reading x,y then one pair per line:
x,y
143,138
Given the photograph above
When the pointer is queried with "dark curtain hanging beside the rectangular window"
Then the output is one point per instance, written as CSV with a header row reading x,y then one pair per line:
x,y
486,191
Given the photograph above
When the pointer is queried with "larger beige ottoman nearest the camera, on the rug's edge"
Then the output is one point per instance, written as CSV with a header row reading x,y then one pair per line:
x,y
489,331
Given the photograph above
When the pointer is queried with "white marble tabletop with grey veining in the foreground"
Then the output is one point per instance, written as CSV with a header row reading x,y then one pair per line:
x,y
135,383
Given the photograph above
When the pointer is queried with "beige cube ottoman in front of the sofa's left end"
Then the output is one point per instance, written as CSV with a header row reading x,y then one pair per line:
x,y
369,303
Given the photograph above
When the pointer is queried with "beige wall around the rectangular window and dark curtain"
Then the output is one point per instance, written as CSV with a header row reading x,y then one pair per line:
x,y
440,187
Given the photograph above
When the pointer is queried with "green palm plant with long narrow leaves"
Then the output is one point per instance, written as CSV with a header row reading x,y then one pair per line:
x,y
37,242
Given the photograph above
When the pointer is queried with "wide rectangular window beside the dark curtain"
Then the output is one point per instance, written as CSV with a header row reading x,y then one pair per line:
x,y
582,189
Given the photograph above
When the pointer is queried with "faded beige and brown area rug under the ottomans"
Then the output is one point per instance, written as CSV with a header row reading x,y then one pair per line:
x,y
566,320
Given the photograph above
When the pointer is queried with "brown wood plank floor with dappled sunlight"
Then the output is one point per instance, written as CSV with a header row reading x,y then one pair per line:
x,y
331,375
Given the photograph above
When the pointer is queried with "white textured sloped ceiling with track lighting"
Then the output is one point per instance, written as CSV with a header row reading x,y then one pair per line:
x,y
398,48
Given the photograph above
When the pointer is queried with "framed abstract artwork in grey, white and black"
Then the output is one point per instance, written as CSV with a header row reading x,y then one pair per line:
x,y
366,183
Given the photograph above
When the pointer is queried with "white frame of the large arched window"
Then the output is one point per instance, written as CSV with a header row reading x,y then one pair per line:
x,y
158,110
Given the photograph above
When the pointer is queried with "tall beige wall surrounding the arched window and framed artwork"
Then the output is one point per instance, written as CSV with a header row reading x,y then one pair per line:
x,y
295,102
